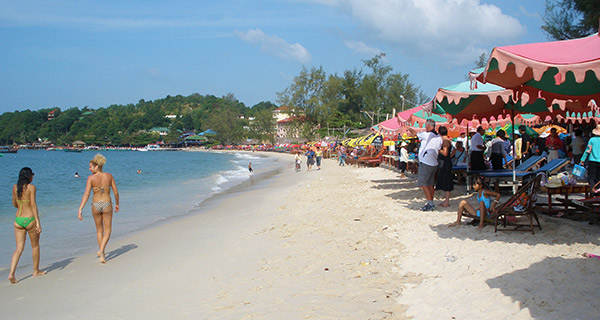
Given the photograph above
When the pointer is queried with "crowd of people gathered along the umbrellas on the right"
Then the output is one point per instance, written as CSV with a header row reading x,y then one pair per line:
x,y
437,156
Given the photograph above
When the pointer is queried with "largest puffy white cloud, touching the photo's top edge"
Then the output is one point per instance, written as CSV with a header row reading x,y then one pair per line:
x,y
456,29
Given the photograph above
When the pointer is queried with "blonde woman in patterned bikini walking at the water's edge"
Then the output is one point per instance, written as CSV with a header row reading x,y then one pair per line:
x,y
101,183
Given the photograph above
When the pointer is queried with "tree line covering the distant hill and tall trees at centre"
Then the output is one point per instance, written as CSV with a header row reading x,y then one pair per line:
x,y
319,103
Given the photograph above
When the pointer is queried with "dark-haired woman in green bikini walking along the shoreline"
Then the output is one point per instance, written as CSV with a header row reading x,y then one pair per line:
x,y
27,221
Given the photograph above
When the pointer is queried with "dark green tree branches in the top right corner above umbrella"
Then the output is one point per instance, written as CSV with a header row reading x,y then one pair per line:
x,y
570,19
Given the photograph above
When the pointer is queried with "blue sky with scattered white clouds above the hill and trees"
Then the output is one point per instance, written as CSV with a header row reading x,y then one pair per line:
x,y
97,53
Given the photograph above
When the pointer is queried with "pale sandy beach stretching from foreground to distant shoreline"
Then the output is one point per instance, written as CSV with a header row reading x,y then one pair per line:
x,y
339,243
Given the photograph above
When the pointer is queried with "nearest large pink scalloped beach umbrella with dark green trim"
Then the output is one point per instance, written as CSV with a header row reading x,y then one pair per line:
x,y
565,72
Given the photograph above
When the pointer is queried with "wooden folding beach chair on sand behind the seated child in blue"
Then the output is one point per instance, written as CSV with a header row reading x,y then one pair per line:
x,y
520,204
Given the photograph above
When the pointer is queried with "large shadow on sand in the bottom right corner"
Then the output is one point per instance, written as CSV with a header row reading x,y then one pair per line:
x,y
566,288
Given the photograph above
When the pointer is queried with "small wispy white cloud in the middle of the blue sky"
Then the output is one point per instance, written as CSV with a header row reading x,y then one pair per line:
x,y
275,46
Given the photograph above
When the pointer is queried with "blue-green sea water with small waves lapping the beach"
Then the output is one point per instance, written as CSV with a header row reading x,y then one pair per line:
x,y
170,184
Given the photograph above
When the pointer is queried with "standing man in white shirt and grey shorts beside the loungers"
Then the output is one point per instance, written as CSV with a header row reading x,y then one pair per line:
x,y
431,144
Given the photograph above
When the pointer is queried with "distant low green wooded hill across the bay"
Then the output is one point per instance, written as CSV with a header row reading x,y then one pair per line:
x,y
121,124
